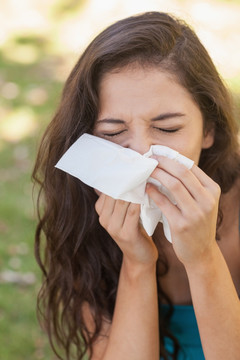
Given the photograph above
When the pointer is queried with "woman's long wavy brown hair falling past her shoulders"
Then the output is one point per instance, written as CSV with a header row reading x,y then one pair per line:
x,y
79,260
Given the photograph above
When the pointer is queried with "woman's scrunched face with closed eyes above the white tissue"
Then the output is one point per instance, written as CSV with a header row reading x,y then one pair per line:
x,y
143,107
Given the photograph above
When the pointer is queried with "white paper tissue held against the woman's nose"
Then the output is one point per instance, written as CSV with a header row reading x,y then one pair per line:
x,y
121,173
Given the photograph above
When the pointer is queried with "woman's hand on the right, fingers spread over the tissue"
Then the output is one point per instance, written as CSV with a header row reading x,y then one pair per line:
x,y
193,220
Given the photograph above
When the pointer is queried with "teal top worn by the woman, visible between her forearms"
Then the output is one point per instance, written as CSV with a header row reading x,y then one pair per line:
x,y
183,325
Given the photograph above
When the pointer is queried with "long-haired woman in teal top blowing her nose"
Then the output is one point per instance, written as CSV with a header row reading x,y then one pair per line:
x,y
110,290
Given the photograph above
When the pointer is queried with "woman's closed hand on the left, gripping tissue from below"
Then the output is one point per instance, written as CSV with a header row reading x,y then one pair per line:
x,y
121,220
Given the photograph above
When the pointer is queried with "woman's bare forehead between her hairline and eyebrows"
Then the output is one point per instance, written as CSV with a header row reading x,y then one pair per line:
x,y
142,87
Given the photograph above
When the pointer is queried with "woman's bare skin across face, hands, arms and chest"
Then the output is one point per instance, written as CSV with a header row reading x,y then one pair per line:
x,y
140,107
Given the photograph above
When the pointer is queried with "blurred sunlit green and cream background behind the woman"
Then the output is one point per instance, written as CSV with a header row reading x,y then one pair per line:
x,y
40,41
